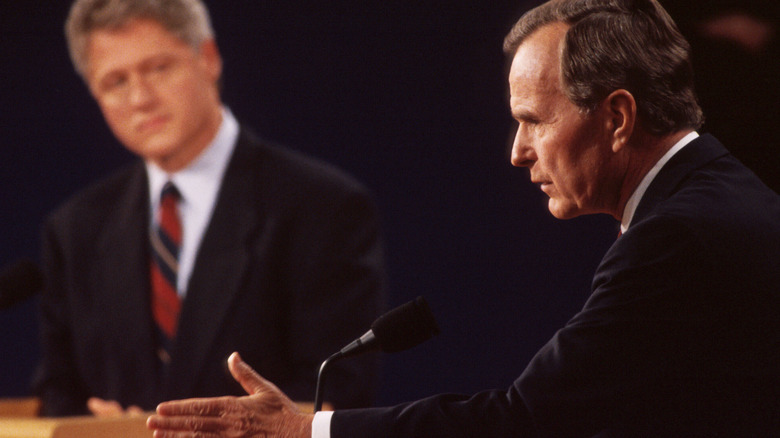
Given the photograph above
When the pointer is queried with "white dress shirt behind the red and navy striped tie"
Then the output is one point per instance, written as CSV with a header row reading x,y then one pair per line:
x,y
198,184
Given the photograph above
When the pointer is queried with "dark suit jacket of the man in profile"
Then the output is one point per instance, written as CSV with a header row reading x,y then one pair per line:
x,y
680,337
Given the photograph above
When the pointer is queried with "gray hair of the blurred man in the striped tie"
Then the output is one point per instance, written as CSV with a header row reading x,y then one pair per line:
x,y
187,19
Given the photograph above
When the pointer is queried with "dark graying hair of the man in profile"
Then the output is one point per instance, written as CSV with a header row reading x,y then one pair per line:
x,y
621,44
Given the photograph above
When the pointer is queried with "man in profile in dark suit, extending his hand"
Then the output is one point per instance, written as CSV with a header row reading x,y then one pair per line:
x,y
680,336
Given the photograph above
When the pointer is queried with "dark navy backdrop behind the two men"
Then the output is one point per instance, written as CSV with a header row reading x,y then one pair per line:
x,y
409,97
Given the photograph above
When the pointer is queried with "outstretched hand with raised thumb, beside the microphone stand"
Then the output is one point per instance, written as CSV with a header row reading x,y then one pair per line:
x,y
265,412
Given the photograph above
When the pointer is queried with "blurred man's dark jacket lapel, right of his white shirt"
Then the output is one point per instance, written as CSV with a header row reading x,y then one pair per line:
x,y
219,270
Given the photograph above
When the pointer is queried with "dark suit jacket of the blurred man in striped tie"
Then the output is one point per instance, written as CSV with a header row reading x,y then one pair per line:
x,y
290,270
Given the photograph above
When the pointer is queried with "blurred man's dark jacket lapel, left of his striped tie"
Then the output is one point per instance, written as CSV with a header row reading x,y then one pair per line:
x,y
121,275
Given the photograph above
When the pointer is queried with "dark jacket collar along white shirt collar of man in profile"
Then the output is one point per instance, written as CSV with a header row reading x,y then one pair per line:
x,y
697,153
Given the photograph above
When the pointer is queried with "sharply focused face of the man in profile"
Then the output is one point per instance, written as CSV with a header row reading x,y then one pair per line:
x,y
566,151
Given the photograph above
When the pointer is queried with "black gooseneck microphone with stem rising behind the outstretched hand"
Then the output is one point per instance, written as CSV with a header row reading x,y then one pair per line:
x,y
399,329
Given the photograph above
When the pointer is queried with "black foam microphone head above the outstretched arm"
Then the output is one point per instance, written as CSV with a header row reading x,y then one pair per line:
x,y
405,326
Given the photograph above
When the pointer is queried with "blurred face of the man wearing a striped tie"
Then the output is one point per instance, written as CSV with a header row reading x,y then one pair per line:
x,y
158,95
